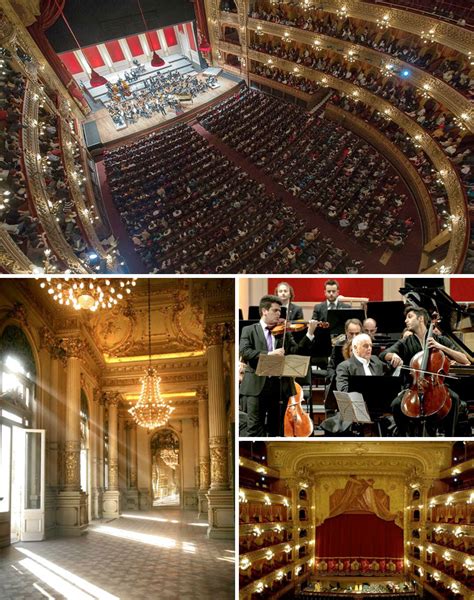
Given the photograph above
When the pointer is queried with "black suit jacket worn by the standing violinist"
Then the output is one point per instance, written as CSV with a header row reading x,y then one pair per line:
x,y
252,344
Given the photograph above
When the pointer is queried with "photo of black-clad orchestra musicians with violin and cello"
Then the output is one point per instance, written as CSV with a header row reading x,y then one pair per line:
x,y
362,369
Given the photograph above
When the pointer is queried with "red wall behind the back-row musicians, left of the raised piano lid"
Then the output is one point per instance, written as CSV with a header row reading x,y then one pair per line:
x,y
312,289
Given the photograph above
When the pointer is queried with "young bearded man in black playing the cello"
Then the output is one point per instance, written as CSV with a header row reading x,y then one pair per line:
x,y
417,322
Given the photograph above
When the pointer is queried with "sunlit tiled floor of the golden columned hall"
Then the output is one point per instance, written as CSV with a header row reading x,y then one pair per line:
x,y
158,554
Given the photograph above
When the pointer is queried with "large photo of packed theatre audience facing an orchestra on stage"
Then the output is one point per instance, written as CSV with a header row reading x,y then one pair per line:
x,y
236,136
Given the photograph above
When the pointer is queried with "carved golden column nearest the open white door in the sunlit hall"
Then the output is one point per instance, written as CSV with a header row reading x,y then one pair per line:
x,y
72,511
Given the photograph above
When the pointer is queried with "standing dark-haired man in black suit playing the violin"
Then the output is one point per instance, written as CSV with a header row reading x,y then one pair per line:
x,y
260,396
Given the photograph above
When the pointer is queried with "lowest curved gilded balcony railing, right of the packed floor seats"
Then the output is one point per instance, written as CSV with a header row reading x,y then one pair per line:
x,y
457,233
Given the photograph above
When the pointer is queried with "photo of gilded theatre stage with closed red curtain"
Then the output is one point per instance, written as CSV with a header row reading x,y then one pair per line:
x,y
322,520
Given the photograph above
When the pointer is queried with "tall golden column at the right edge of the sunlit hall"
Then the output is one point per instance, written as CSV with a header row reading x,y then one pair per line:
x,y
220,497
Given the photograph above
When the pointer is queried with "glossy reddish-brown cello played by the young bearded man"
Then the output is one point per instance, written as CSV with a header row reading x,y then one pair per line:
x,y
428,395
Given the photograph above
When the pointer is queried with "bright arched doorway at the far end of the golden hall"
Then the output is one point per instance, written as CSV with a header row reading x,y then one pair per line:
x,y
166,468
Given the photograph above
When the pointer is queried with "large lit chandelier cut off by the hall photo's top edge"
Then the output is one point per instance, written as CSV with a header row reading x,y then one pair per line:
x,y
88,294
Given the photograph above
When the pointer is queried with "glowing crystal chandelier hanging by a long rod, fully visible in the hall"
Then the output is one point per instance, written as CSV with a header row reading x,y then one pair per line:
x,y
151,410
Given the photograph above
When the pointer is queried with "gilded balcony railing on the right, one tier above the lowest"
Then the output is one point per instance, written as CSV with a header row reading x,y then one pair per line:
x,y
454,101
